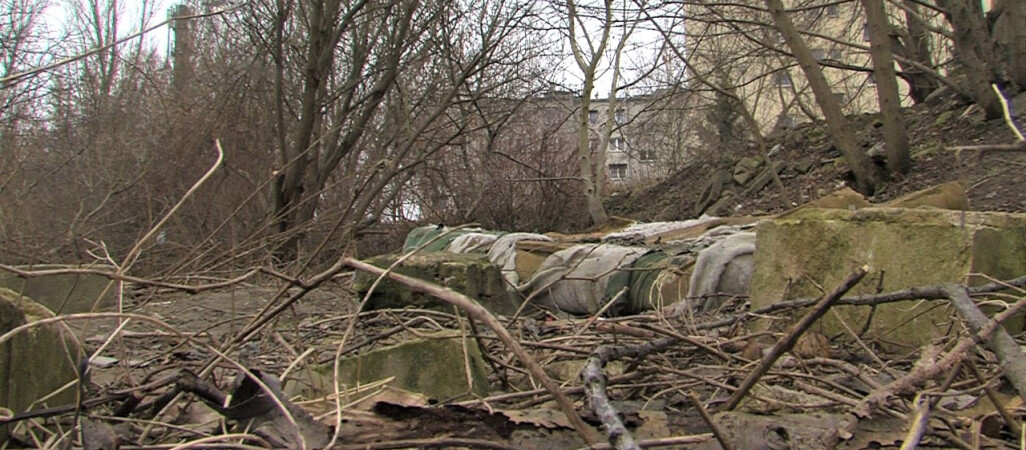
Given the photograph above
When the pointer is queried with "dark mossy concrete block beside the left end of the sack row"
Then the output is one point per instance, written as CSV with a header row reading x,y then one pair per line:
x,y
470,274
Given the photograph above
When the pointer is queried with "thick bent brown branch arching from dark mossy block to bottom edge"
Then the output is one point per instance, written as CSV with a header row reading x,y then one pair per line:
x,y
477,312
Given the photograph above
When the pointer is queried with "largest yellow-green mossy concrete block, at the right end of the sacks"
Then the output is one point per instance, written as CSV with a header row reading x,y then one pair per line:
x,y
810,250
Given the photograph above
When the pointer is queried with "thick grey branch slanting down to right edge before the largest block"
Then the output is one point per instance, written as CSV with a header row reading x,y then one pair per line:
x,y
1006,348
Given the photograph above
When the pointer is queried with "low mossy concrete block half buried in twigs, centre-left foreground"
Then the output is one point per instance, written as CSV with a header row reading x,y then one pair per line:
x,y
437,367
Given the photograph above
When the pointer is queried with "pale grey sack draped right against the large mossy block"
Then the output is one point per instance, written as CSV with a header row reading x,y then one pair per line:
x,y
723,270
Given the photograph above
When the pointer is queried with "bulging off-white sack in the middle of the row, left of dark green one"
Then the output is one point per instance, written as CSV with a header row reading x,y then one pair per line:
x,y
582,279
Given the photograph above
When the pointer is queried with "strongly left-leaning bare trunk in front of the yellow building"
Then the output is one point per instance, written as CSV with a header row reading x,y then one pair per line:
x,y
866,176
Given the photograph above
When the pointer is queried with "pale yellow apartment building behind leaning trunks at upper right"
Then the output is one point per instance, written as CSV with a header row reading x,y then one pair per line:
x,y
736,48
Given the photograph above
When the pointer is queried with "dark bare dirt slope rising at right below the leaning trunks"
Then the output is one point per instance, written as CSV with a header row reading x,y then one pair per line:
x,y
996,181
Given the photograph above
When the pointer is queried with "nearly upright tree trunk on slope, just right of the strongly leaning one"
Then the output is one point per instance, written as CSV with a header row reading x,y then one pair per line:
x,y
895,136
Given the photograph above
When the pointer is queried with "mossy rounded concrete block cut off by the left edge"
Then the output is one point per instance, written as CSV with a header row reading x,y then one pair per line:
x,y
33,363
